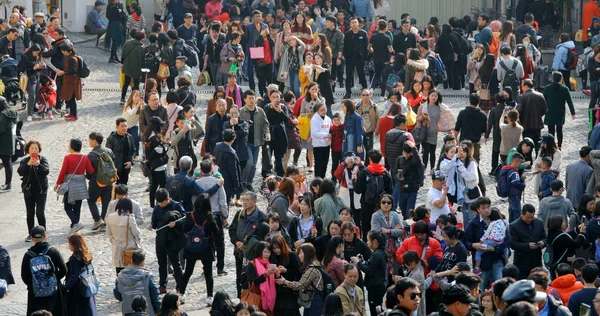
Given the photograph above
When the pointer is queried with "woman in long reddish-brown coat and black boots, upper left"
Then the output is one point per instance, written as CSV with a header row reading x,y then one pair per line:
x,y
71,89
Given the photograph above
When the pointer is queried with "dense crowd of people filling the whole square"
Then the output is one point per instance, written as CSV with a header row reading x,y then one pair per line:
x,y
349,240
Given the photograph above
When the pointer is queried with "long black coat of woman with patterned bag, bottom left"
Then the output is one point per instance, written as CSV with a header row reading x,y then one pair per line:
x,y
76,303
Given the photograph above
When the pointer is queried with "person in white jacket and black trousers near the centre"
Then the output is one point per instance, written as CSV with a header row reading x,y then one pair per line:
x,y
321,139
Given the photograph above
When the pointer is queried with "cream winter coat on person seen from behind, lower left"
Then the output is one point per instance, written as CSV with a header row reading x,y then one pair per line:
x,y
116,229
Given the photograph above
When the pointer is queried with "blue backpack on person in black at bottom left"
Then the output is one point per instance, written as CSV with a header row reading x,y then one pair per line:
x,y
42,274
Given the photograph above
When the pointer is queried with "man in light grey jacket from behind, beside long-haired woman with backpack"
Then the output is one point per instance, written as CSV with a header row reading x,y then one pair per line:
x,y
219,209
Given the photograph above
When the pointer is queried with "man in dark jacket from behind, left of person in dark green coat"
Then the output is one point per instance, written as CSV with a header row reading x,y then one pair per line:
x,y
532,107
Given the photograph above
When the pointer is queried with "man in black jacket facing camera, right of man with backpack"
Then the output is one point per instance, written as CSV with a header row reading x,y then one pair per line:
x,y
121,144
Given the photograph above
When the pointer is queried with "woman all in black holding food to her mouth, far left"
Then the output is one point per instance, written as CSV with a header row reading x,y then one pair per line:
x,y
34,170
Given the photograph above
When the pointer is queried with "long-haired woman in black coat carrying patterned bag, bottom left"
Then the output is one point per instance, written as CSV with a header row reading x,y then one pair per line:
x,y
76,303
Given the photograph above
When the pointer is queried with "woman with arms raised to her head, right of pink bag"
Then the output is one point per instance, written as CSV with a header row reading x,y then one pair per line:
x,y
292,62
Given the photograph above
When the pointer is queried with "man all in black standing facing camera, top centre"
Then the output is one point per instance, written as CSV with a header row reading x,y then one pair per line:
x,y
355,54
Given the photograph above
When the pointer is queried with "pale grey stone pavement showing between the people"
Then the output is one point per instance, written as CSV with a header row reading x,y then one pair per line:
x,y
99,109
